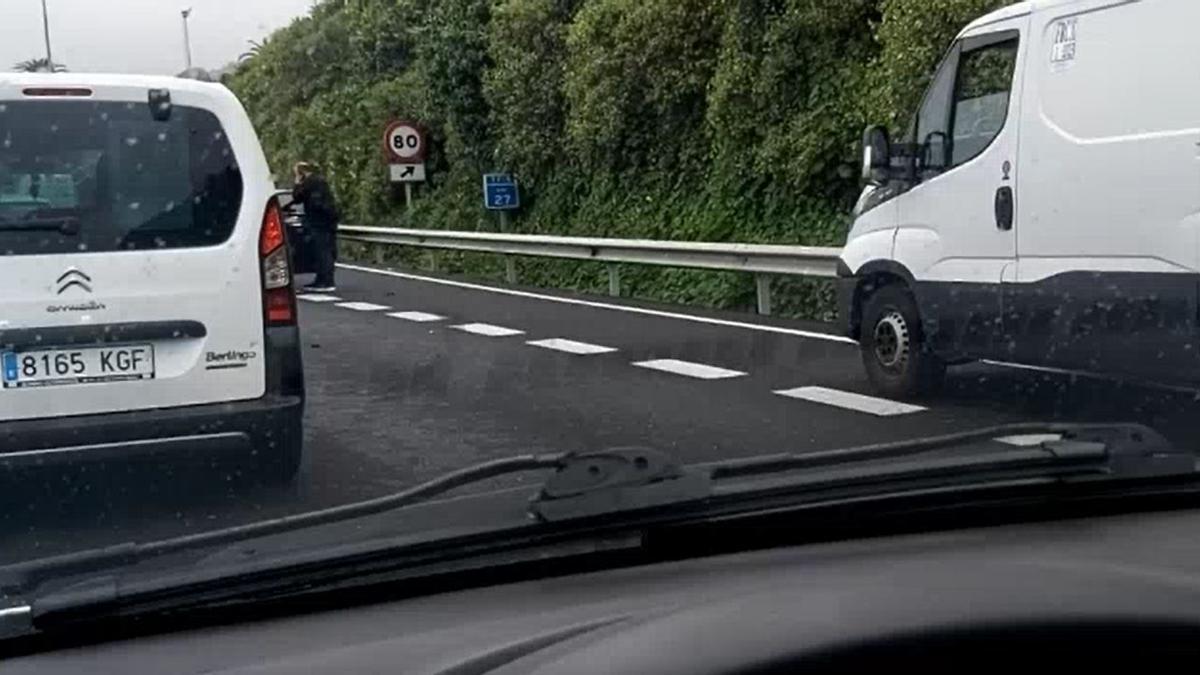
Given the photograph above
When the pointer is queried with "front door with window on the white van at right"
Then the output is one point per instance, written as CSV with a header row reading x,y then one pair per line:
x,y
958,226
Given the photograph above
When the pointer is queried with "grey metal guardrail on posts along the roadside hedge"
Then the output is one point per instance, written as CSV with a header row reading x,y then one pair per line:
x,y
761,260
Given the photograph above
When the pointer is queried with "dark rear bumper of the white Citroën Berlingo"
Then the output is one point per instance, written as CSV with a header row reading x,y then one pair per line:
x,y
237,429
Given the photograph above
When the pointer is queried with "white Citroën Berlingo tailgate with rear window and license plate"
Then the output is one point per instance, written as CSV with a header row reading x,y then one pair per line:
x,y
131,274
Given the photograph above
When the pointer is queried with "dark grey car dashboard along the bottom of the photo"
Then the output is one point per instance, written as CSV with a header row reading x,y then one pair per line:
x,y
1120,590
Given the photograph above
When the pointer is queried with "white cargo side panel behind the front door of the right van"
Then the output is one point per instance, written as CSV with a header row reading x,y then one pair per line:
x,y
1109,205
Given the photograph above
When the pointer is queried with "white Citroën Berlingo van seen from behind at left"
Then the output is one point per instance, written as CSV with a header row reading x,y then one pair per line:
x,y
146,294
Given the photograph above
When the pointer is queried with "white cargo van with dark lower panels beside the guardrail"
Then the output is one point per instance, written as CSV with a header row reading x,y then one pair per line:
x,y
1045,207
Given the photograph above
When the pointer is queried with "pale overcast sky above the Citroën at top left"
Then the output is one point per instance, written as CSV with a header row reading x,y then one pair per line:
x,y
139,35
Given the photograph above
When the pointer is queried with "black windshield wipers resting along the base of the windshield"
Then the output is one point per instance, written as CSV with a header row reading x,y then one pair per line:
x,y
631,480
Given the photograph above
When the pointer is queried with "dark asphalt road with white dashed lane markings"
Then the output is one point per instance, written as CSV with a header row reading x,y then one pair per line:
x,y
469,373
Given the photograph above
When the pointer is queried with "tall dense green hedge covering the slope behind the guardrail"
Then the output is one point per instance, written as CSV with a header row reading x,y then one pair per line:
x,y
671,120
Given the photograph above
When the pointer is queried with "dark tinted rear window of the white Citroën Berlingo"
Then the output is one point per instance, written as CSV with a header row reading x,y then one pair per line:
x,y
94,176
